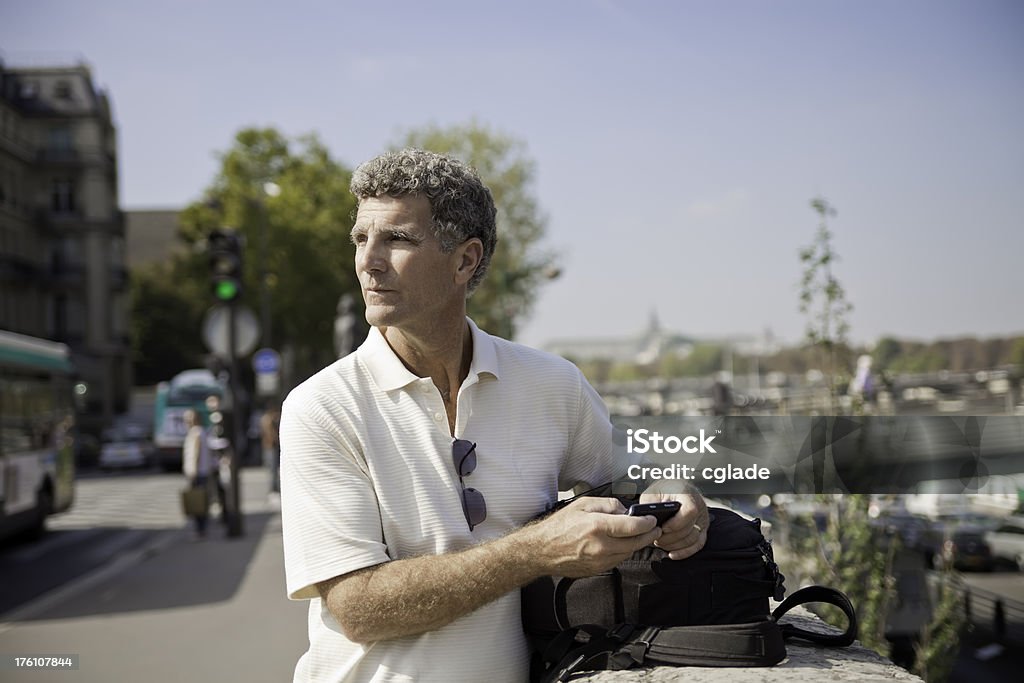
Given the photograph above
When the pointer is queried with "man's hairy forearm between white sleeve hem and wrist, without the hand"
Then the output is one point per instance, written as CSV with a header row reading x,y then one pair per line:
x,y
412,596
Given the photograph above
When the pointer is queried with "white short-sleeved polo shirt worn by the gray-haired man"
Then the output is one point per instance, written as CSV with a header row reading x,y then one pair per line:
x,y
367,478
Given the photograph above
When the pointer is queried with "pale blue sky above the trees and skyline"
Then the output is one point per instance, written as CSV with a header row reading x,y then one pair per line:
x,y
677,144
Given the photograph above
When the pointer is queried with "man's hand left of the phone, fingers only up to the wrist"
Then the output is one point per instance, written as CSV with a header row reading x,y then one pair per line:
x,y
590,536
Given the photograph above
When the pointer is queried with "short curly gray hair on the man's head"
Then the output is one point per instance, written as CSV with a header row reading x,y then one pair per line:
x,y
461,205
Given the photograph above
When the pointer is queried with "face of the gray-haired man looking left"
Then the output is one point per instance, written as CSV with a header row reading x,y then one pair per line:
x,y
405,277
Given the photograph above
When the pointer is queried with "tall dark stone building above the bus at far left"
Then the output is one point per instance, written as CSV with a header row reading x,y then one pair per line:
x,y
63,274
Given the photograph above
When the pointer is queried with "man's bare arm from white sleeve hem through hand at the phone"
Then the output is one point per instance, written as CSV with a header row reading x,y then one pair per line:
x,y
420,594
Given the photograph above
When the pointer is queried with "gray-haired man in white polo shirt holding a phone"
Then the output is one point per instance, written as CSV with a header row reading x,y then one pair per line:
x,y
412,468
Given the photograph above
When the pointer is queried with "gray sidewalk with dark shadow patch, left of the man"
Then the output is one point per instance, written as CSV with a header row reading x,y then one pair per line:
x,y
212,611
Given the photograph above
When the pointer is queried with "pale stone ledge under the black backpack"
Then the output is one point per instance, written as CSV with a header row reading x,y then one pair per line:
x,y
805,662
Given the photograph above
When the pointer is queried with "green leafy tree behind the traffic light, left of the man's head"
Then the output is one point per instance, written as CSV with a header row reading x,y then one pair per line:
x,y
308,257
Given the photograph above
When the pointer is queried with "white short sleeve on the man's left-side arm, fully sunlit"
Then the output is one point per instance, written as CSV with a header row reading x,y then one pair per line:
x,y
330,516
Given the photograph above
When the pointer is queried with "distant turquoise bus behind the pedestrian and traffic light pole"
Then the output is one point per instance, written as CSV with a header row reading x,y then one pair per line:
x,y
189,390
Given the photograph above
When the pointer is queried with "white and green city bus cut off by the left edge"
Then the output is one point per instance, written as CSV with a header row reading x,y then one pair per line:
x,y
37,433
